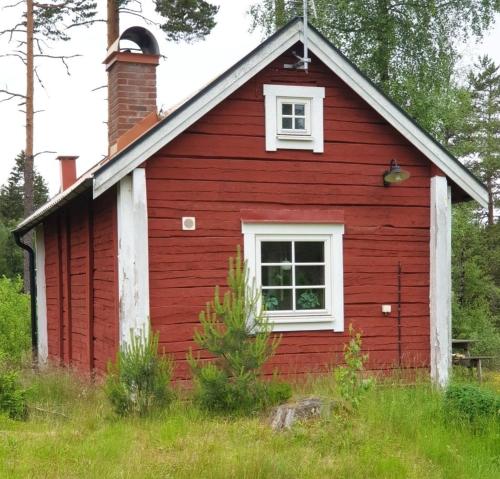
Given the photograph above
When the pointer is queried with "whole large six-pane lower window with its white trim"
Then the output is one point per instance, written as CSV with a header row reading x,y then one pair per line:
x,y
298,269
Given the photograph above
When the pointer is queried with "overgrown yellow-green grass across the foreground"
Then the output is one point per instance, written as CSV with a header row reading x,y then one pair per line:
x,y
400,431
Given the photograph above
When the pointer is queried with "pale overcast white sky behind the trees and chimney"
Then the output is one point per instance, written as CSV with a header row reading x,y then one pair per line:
x,y
72,114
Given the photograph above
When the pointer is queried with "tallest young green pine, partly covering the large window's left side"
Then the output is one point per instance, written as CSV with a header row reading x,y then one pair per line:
x,y
237,332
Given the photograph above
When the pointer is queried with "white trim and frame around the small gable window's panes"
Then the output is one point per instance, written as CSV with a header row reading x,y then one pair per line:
x,y
276,139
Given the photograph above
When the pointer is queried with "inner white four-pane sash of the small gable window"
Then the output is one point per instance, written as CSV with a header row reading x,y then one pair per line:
x,y
294,116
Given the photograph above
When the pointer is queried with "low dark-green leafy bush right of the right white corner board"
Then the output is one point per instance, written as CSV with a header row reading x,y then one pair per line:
x,y
469,402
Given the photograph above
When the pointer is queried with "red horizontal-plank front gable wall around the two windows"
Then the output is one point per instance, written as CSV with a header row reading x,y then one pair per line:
x,y
219,167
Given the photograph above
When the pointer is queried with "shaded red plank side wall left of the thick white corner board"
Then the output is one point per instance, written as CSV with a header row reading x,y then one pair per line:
x,y
81,285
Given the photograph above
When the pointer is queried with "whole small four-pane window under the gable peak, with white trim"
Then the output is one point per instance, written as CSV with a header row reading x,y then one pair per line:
x,y
294,117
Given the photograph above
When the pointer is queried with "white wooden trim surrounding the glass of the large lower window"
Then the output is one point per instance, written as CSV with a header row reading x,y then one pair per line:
x,y
333,319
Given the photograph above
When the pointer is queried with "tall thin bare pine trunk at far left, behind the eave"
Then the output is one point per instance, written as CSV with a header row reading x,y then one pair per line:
x,y
28,162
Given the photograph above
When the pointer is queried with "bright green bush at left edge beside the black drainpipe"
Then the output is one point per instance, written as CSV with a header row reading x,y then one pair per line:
x,y
14,320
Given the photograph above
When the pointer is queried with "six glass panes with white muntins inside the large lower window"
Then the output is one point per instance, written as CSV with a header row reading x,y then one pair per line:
x,y
293,275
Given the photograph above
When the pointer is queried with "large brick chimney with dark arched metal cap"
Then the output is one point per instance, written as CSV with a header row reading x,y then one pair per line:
x,y
131,82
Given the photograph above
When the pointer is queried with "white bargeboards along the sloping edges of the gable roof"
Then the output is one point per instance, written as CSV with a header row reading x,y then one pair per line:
x,y
112,171
